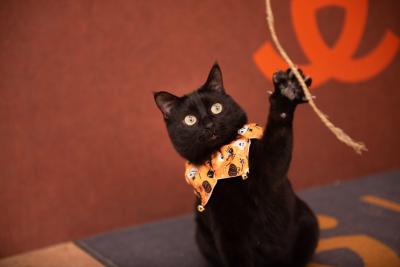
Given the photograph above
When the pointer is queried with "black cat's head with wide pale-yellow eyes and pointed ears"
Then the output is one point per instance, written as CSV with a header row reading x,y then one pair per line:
x,y
200,122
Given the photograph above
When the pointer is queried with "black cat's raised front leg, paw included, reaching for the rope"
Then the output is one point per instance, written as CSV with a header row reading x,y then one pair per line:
x,y
272,154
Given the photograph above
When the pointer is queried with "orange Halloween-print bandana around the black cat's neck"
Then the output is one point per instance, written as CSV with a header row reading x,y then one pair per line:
x,y
230,161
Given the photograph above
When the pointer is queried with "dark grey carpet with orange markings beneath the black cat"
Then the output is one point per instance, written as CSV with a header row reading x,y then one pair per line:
x,y
359,220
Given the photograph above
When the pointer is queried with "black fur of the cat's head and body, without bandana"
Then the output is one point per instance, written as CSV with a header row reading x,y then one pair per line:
x,y
254,222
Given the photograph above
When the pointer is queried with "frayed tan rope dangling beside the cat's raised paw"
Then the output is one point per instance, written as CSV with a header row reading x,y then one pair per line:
x,y
358,147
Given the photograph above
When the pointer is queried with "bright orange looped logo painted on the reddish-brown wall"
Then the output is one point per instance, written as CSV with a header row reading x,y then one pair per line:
x,y
335,62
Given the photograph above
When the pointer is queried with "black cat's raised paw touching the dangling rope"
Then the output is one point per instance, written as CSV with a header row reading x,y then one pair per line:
x,y
288,86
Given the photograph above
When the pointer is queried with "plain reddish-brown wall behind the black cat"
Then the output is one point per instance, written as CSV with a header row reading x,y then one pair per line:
x,y
83,147
